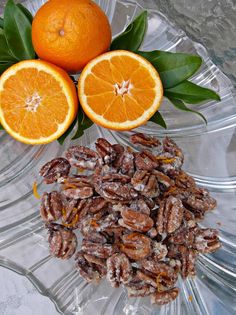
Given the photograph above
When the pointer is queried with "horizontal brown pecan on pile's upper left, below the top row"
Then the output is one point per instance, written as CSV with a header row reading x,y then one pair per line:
x,y
77,188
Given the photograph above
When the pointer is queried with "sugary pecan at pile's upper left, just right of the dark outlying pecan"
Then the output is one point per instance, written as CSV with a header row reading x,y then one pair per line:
x,y
82,157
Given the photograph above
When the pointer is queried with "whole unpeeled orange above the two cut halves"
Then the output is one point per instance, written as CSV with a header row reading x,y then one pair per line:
x,y
70,33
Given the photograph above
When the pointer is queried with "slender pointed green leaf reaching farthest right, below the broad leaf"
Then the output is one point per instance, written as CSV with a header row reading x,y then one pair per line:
x,y
191,93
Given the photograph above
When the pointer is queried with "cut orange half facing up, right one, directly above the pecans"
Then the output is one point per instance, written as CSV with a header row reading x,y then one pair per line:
x,y
120,90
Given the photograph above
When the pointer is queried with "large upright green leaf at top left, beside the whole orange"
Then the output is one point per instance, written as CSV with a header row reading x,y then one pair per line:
x,y
17,28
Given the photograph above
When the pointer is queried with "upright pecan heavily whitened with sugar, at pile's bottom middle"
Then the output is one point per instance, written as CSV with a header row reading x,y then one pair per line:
x,y
119,270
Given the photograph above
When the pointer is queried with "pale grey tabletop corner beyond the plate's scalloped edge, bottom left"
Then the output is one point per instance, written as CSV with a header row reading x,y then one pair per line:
x,y
19,297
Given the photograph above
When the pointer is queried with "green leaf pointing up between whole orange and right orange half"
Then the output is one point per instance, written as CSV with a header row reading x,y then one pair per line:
x,y
132,37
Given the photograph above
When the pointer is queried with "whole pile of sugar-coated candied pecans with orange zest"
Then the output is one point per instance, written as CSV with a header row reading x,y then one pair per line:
x,y
137,213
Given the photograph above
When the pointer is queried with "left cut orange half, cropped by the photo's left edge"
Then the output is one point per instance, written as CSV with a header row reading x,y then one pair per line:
x,y
38,101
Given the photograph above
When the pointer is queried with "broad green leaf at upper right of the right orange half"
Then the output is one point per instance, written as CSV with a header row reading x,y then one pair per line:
x,y
173,68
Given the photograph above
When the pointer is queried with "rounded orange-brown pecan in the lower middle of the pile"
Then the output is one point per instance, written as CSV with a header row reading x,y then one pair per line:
x,y
136,246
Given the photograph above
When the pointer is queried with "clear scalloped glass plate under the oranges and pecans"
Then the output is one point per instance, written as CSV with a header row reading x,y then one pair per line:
x,y
209,157
